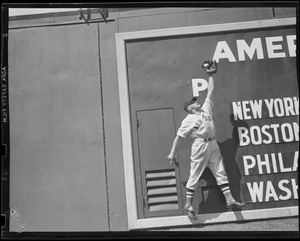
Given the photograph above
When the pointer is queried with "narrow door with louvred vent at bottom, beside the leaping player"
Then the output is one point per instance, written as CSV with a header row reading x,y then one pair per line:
x,y
160,181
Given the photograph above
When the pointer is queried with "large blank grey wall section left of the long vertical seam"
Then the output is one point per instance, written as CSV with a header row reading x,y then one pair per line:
x,y
57,176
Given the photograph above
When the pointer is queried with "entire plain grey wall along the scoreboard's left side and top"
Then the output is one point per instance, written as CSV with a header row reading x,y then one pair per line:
x,y
66,162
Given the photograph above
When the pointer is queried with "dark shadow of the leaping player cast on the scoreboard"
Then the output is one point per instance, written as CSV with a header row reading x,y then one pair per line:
x,y
213,199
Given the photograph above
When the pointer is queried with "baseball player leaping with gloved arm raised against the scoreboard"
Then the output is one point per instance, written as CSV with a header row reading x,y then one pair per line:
x,y
205,151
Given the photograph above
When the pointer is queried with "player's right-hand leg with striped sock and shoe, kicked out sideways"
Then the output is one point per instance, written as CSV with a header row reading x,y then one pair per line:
x,y
216,165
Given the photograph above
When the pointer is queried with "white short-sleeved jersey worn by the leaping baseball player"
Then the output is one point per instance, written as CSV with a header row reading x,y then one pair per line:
x,y
199,125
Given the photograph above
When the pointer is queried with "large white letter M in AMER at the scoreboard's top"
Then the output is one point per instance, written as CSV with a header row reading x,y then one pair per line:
x,y
255,46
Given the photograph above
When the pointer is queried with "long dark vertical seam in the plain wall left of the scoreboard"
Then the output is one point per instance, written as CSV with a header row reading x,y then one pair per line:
x,y
103,128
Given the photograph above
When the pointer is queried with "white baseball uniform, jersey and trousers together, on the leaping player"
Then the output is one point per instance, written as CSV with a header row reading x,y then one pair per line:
x,y
205,150
